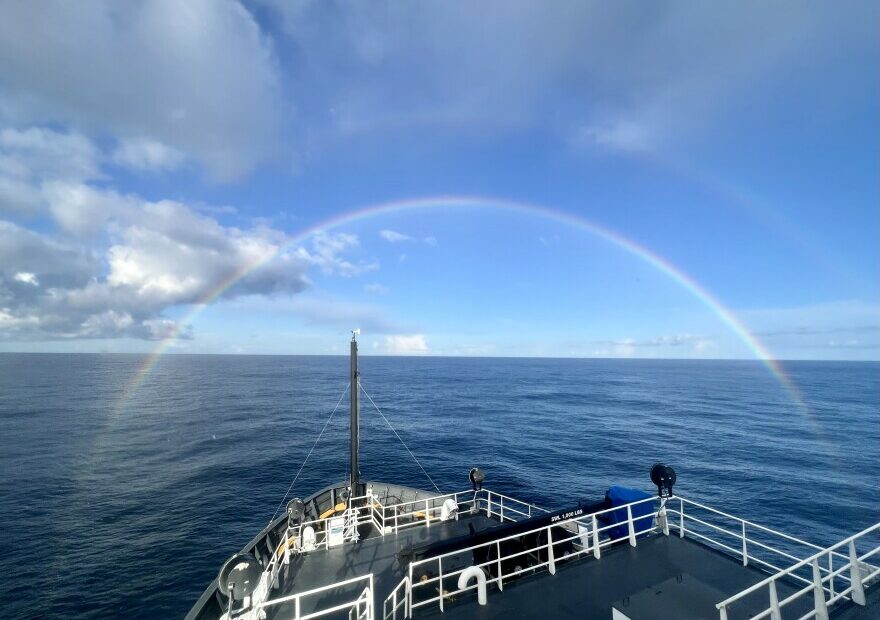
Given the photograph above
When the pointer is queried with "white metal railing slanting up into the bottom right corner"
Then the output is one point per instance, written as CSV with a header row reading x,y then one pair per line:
x,y
859,574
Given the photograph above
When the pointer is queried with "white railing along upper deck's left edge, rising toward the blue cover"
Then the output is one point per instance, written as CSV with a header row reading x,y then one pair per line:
x,y
584,533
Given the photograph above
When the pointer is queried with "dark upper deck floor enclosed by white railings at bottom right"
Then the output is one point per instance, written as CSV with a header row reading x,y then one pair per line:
x,y
663,577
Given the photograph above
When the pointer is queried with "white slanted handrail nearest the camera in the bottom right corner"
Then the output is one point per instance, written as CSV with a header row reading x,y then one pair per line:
x,y
856,580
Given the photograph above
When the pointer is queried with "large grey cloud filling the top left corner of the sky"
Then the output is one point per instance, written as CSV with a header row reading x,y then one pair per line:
x,y
165,77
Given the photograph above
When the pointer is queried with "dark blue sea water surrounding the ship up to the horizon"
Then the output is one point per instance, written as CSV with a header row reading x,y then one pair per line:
x,y
114,511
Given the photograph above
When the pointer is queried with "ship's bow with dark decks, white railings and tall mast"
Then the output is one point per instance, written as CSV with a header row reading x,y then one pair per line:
x,y
363,549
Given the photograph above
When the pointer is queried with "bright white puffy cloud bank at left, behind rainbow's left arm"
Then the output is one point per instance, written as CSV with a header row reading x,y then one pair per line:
x,y
117,262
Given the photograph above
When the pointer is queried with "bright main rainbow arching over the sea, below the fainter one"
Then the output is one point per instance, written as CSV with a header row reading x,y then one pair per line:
x,y
426,203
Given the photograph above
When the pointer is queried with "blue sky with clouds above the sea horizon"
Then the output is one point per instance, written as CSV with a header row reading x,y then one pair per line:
x,y
149,152
